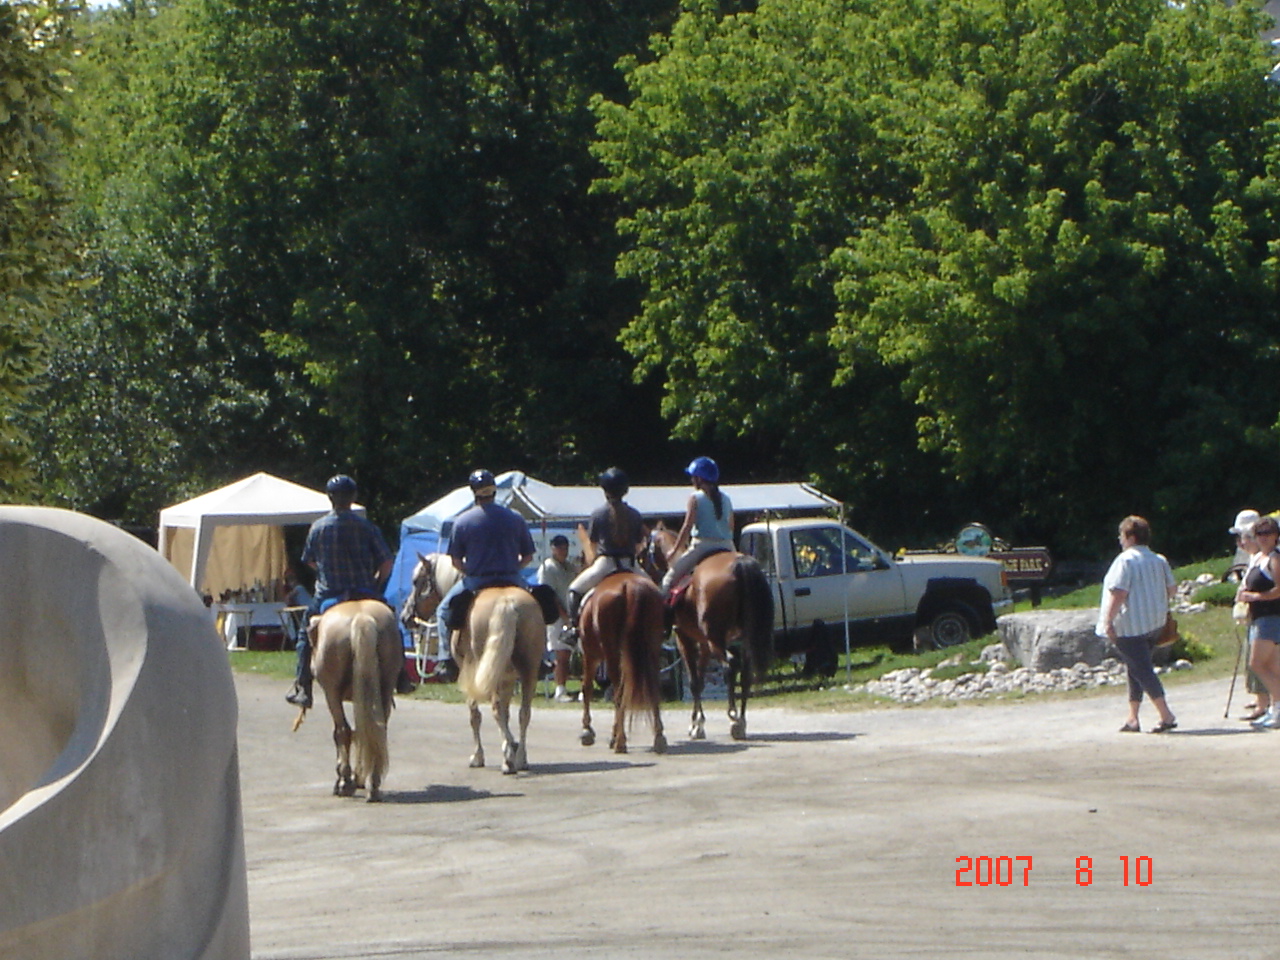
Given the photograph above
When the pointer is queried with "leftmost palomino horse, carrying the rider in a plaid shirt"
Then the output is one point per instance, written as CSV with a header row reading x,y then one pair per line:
x,y
358,657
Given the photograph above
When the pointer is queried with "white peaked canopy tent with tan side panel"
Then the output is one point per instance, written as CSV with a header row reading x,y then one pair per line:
x,y
230,538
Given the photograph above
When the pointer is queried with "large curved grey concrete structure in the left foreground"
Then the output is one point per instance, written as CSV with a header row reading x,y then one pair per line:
x,y
121,833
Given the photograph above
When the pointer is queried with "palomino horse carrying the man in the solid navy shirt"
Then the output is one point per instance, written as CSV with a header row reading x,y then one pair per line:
x,y
501,643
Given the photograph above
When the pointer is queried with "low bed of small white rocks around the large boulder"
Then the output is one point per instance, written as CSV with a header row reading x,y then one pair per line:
x,y
917,685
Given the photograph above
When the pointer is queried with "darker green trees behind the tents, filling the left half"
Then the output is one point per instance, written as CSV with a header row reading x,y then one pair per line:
x,y
346,235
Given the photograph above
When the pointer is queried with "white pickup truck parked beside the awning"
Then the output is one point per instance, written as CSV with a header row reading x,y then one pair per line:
x,y
825,573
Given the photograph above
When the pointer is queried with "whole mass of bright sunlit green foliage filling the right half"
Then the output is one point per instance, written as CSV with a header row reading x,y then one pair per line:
x,y
1028,243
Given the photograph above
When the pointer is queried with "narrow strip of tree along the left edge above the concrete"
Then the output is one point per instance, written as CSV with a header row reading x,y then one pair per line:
x,y
36,252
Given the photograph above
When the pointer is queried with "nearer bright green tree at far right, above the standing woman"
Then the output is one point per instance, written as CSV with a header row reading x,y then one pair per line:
x,y
1081,291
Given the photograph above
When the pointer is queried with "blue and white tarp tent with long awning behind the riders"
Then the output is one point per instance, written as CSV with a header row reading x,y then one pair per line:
x,y
559,510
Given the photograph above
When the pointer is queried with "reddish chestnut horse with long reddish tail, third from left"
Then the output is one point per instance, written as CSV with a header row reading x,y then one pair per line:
x,y
623,625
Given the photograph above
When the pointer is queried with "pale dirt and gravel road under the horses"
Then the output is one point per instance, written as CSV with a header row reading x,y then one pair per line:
x,y
821,836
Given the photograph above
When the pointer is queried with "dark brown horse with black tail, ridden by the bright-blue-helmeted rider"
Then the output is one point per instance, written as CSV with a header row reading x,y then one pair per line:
x,y
729,602
